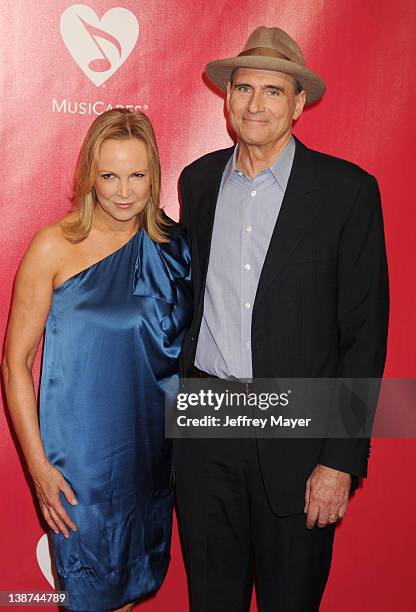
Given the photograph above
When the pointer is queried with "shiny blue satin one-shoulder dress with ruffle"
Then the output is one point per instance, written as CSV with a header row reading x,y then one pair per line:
x,y
112,342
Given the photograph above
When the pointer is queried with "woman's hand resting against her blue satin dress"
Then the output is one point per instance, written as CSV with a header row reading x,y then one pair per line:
x,y
49,482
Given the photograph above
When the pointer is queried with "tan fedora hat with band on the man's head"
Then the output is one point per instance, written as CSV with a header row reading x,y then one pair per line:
x,y
269,49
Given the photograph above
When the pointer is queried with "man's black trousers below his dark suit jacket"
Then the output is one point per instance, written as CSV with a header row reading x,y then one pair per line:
x,y
231,539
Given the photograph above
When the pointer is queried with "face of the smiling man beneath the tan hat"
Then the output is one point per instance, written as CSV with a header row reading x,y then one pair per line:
x,y
262,105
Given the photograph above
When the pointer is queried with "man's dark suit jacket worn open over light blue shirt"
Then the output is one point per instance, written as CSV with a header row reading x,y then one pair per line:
x,y
321,307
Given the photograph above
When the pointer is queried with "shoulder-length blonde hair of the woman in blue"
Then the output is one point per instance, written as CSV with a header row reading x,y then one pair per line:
x,y
117,124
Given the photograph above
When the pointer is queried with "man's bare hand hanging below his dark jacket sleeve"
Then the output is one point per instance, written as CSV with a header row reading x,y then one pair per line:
x,y
326,496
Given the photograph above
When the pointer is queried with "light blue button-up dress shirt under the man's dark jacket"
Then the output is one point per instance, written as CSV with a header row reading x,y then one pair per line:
x,y
245,216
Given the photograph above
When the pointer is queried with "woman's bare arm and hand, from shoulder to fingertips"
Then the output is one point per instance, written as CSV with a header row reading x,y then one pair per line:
x,y
32,298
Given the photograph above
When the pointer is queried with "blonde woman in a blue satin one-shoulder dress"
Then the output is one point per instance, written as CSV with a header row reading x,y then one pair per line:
x,y
110,285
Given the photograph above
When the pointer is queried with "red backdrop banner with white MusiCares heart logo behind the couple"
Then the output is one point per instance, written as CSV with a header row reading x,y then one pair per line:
x,y
64,63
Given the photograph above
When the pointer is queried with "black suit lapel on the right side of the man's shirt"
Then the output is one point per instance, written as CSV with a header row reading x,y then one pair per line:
x,y
299,207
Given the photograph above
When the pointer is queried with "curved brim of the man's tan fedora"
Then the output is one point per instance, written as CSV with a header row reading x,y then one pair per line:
x,y
219,73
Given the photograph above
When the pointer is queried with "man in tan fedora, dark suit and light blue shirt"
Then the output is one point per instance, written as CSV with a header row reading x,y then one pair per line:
x,y
290,280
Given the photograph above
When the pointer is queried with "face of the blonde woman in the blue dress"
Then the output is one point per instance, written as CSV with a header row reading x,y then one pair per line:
x,y
123,178
